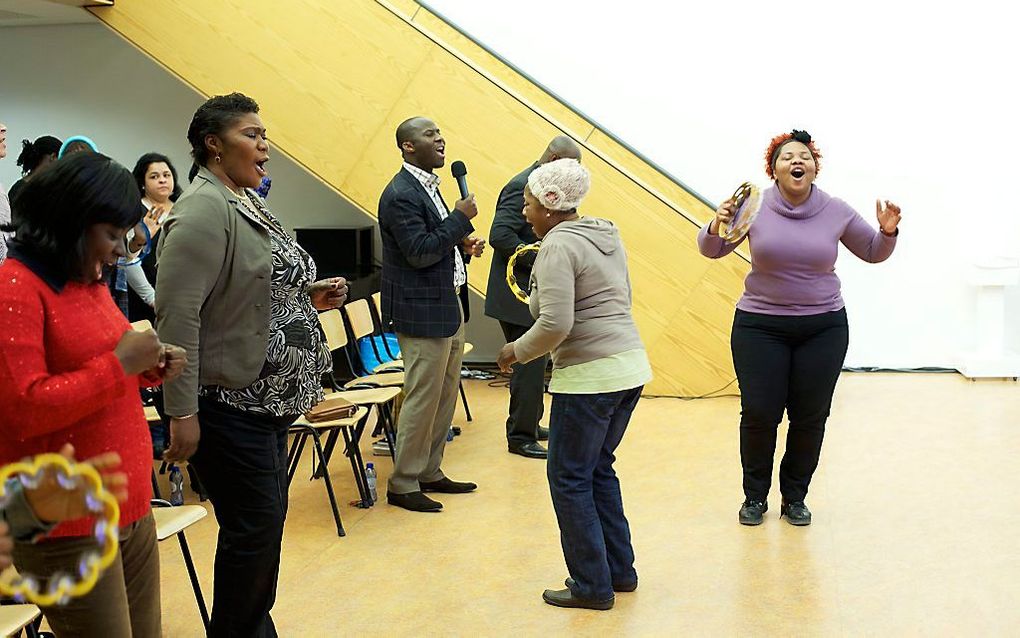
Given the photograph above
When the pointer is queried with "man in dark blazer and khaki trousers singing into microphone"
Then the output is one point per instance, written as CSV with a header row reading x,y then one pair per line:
x,y
426,249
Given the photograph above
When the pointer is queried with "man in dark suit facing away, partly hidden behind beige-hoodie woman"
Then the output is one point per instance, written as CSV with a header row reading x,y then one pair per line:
x,y
509,232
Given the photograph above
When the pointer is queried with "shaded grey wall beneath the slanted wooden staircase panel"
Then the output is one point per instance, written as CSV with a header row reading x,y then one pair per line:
x,y
85,80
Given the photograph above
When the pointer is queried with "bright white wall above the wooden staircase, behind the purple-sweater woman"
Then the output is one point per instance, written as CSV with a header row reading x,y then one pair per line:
x,y
908,102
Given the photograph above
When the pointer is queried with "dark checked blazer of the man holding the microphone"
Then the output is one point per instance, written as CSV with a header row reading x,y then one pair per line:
x,y
419,297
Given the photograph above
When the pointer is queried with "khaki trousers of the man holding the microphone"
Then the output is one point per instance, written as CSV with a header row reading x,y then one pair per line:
x,y
432,381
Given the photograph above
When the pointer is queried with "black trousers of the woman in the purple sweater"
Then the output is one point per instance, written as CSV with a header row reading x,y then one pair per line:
x,y
787,364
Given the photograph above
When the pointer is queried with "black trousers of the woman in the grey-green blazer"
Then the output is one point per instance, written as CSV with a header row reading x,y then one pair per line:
x,y
242,458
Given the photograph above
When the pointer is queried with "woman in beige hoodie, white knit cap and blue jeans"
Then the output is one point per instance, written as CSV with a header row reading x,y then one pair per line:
x,y
581,299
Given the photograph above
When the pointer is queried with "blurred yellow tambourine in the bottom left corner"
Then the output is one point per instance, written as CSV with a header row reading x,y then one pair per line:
x,y
62,587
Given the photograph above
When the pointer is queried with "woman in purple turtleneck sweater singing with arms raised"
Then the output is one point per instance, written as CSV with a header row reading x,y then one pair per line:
x,y
790,332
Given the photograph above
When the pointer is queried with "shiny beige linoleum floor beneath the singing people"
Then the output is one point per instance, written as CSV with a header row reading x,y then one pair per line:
x,y
916,506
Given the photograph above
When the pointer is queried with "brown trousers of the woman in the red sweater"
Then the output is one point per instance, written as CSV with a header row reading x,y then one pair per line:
x,y
125,603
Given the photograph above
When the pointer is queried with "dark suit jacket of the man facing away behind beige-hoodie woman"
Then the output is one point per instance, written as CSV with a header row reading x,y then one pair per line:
x,y
509,231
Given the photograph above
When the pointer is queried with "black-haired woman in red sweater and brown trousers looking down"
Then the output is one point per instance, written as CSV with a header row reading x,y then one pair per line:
x,y
70,372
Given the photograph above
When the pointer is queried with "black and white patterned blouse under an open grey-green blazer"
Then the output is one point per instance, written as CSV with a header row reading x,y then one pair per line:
x,y
297,356
